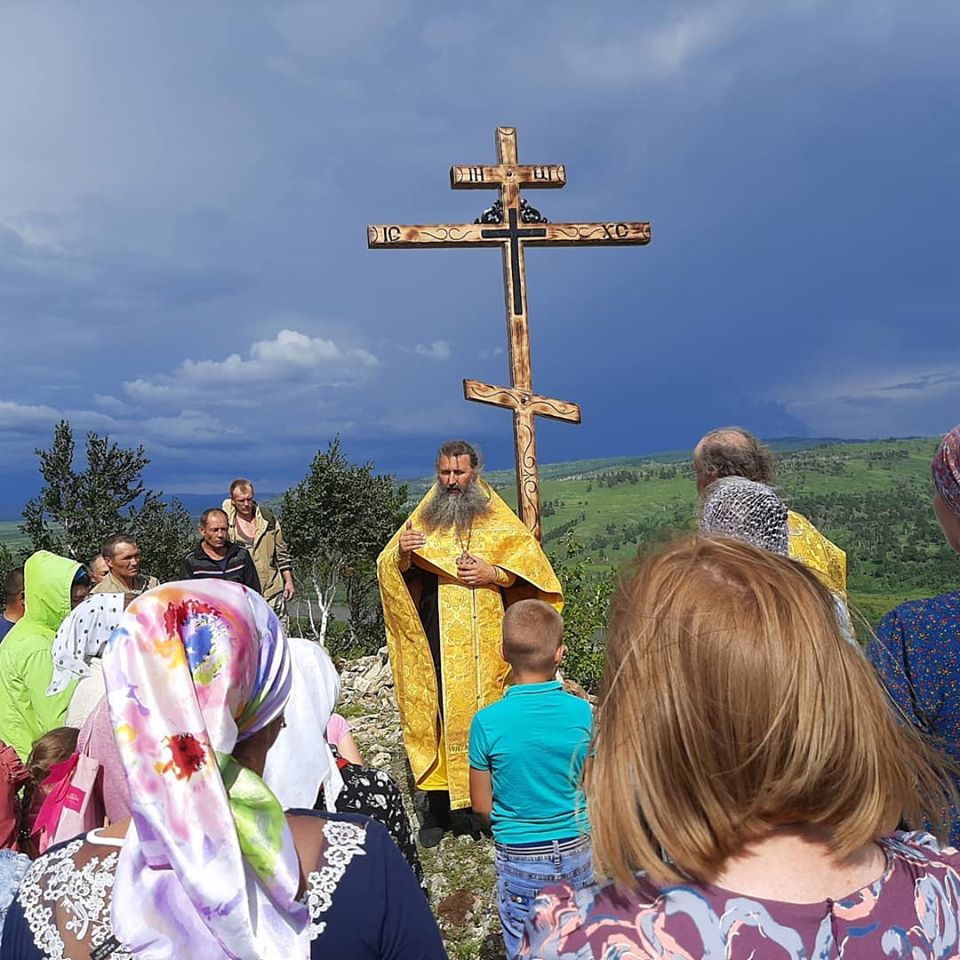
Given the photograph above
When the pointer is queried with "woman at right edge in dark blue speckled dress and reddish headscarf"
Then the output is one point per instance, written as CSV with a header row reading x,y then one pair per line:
x,y
916,649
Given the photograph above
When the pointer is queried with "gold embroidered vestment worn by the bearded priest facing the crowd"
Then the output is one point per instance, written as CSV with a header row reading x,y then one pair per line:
x,y
473,672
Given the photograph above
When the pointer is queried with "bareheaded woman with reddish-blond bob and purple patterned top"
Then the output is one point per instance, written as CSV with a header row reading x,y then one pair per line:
x,y
746,779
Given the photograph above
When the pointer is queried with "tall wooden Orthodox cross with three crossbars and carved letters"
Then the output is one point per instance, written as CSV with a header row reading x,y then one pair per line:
x,y
512,224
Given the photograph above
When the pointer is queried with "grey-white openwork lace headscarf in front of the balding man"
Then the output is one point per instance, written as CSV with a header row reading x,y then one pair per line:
x,y
748,511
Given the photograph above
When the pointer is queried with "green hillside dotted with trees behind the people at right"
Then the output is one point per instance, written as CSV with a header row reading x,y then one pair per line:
x,y
871,498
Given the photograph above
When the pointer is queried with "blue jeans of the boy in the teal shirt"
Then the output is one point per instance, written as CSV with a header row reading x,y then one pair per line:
x,y
523,870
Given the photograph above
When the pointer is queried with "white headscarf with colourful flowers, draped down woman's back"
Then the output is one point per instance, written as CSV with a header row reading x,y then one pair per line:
x,y
208,868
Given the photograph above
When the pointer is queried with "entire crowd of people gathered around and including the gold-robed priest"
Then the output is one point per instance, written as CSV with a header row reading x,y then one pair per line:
x,y
758,777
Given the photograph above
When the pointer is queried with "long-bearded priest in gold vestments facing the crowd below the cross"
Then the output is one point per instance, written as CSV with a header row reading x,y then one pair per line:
x,y
445,579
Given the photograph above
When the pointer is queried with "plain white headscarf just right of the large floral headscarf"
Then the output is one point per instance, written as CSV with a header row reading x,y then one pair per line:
x,y
300,761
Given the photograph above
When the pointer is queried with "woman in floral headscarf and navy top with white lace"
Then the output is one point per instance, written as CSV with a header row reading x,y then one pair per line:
x,y
209,866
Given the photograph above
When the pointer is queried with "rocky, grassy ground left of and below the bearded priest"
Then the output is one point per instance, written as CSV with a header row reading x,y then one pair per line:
x,y
459,871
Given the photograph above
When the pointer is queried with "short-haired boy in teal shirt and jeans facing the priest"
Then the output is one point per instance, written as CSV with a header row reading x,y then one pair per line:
x,y
526,756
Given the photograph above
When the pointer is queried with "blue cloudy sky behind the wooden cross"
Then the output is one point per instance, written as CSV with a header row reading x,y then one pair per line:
x,y
184,190
